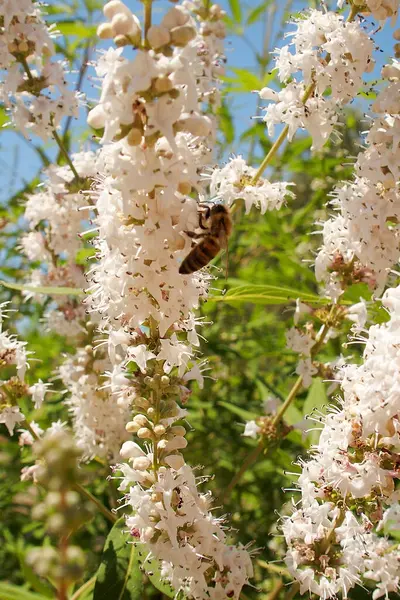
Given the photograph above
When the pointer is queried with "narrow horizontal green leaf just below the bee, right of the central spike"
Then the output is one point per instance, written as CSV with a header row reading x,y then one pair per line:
x,y
266,294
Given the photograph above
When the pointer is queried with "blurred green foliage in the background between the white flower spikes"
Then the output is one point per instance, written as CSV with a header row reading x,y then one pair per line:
x,y
245,344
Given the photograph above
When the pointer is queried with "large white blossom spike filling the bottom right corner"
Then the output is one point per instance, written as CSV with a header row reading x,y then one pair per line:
x,y
348,495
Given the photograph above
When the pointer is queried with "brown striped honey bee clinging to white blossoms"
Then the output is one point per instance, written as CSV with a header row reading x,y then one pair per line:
x,y
215,238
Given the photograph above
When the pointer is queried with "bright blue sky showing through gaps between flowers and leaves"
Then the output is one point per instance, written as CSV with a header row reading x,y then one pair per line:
x,y
19,162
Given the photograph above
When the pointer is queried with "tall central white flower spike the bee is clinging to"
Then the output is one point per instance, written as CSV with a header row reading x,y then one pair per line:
x,y
156,144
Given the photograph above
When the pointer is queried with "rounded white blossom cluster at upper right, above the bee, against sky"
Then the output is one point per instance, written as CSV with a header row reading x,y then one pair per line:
x,y
326,54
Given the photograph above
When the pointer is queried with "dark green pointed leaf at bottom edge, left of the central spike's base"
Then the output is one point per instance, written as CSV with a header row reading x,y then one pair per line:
x,y
119,576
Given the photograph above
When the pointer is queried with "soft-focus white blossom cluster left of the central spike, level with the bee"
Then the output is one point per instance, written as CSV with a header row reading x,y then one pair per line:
x,y
53,242
